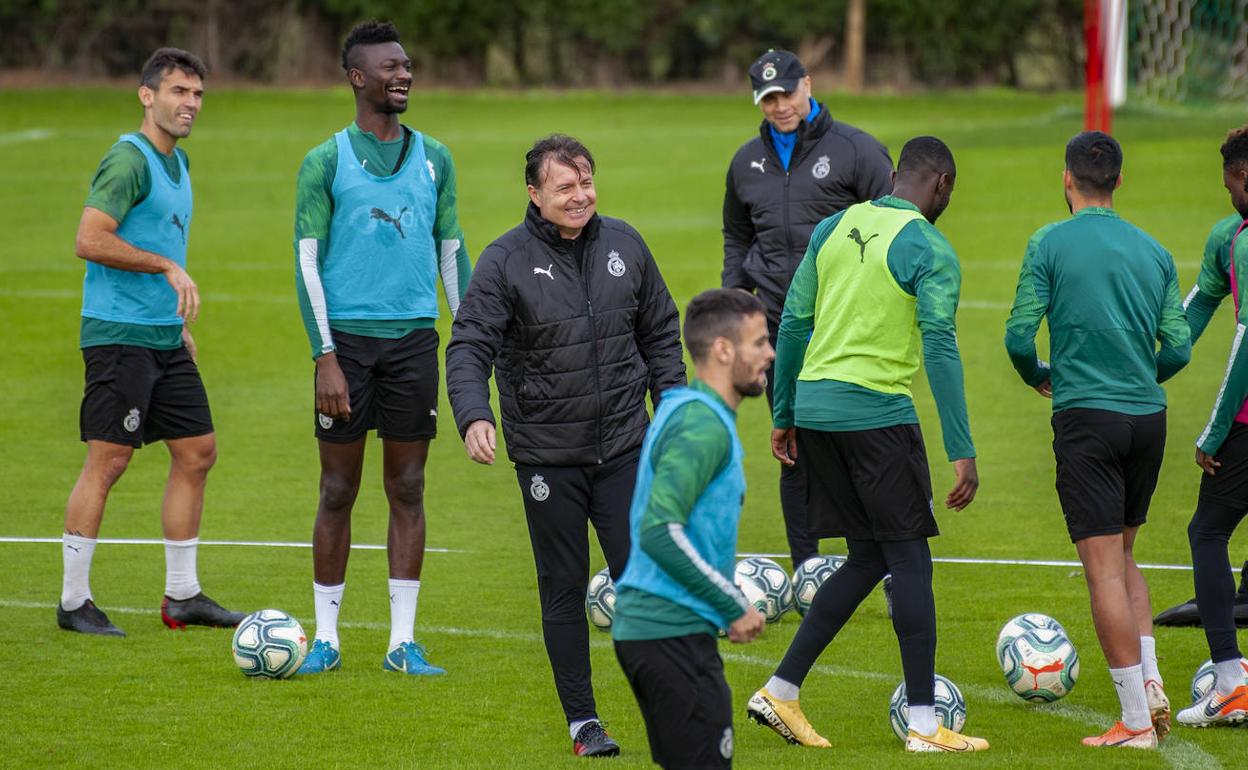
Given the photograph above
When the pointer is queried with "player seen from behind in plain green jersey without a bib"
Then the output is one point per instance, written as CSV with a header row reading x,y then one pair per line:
x,y
1110,294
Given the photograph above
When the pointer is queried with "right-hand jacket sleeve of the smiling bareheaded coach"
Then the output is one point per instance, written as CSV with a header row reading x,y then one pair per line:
x,y
658,330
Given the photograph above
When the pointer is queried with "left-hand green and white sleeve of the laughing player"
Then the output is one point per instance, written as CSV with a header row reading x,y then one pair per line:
x,y
314,210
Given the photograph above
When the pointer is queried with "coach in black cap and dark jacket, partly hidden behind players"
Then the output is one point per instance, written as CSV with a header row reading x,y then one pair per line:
x,y
804,167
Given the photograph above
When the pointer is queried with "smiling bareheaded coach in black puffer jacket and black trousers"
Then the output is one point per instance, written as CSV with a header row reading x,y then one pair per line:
x,y
571,313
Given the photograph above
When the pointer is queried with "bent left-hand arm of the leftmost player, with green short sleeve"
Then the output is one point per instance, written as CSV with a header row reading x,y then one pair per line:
x,y
122,183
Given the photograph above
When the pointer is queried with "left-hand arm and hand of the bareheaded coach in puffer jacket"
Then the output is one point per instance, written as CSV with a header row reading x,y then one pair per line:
x,y
476,338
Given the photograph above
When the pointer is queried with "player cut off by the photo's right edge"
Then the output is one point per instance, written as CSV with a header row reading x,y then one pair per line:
x,y
1222,454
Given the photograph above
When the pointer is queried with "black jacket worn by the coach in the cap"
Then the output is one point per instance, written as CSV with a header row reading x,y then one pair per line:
x,y
769,214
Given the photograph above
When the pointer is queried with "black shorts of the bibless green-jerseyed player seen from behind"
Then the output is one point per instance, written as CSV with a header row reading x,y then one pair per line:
x,y
1108,466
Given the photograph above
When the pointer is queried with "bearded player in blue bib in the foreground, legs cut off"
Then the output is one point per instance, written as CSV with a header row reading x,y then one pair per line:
x,y
677,592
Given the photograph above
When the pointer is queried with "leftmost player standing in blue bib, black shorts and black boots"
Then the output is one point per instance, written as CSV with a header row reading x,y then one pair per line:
x,y
143,384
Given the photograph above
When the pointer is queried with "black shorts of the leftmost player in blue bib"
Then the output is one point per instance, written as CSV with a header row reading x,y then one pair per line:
x,y
135,396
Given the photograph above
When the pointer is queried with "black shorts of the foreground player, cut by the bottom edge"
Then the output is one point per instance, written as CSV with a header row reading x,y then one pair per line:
x,y
686,702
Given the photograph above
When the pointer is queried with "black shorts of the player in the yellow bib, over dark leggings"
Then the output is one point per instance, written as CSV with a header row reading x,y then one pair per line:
x,y
868,485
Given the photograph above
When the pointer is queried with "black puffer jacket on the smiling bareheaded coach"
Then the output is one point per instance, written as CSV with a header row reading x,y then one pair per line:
x,y
575,344
